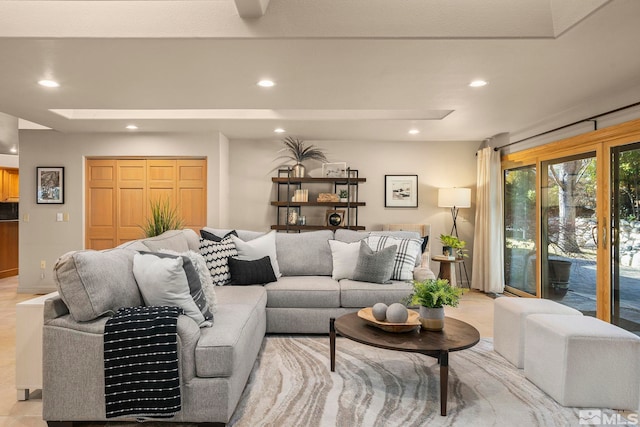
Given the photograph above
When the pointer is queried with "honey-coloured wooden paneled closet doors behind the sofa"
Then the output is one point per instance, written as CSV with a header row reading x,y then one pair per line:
x,y
119,192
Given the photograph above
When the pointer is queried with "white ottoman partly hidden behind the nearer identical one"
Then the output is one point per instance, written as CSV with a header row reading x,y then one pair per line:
x,y
509,315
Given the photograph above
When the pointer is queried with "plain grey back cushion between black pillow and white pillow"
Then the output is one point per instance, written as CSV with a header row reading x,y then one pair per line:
x,y
304,254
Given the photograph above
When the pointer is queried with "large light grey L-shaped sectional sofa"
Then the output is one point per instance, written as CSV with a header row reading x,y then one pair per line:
x,y
214,362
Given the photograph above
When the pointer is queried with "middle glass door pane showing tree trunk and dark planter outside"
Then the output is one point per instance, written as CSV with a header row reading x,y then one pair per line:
x,y
569,222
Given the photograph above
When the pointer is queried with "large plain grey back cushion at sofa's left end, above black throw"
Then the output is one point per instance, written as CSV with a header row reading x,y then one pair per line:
x,y
95,283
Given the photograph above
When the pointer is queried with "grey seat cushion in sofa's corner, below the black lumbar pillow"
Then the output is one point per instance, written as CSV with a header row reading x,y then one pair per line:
x,y
303,292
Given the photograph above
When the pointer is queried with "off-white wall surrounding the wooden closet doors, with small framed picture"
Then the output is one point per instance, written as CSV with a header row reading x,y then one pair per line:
x,y
42,238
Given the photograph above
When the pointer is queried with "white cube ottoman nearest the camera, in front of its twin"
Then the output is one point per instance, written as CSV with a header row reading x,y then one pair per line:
x,y
583,361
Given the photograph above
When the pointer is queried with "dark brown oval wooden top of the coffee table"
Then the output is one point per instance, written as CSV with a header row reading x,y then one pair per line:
x,y
456,335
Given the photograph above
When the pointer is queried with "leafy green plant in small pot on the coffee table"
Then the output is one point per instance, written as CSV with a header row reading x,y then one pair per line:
x,y
432,295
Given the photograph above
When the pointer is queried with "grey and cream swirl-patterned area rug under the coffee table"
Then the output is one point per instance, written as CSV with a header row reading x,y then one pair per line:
x,y
291,385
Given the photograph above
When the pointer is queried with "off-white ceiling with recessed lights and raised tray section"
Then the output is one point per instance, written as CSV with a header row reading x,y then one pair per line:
x,y
356,70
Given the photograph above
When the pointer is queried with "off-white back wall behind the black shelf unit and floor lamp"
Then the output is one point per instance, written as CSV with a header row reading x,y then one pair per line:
x,y
437,164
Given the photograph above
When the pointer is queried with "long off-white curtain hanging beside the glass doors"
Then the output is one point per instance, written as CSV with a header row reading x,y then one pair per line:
x,y
488,253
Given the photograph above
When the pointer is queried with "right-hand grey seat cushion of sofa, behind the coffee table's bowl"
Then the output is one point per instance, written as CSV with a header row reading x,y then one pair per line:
x,y
363,294
